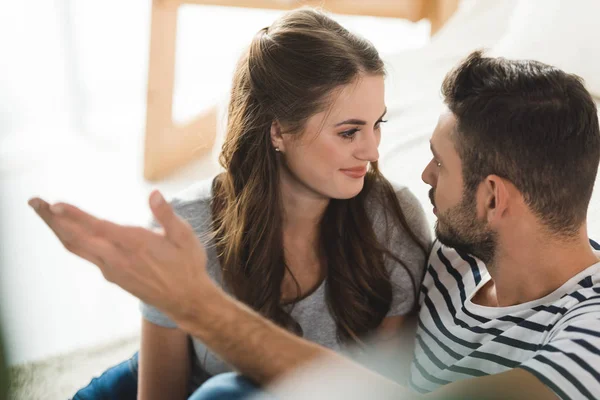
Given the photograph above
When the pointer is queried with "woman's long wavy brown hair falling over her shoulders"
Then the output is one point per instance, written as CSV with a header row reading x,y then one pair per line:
x,y
287,75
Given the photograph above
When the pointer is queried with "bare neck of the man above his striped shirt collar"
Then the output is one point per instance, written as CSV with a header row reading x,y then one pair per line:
x,y
529,267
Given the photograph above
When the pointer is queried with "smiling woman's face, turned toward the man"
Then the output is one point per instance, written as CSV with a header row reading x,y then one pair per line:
x,y
331,156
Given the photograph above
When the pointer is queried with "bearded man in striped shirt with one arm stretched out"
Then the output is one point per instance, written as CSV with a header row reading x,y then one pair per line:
x,y
515,157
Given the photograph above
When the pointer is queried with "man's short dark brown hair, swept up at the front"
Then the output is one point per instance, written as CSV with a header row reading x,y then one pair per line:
x,y
531,124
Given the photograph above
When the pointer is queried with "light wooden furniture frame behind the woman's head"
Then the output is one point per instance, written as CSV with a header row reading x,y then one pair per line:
x,y
169,146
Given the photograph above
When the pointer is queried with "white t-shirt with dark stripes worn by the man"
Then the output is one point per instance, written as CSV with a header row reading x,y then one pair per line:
x,y
556,338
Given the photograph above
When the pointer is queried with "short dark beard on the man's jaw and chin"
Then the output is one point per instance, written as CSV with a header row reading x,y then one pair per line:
x,y
458,227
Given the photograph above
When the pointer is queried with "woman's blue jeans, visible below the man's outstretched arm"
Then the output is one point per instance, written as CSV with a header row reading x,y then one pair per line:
x,y
121,382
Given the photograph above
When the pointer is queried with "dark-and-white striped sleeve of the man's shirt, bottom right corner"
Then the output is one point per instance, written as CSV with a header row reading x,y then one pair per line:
x,y
569,364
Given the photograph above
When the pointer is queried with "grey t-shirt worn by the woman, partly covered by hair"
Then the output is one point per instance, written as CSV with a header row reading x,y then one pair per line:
x,y
311,312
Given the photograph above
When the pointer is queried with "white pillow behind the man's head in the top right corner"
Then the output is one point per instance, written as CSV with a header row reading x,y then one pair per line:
x,y
563,33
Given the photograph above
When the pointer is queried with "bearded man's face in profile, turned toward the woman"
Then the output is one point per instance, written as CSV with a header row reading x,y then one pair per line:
x,y
456,208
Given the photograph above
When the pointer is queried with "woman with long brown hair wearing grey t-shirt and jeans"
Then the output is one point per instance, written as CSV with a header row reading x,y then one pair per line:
x,y
301,226
